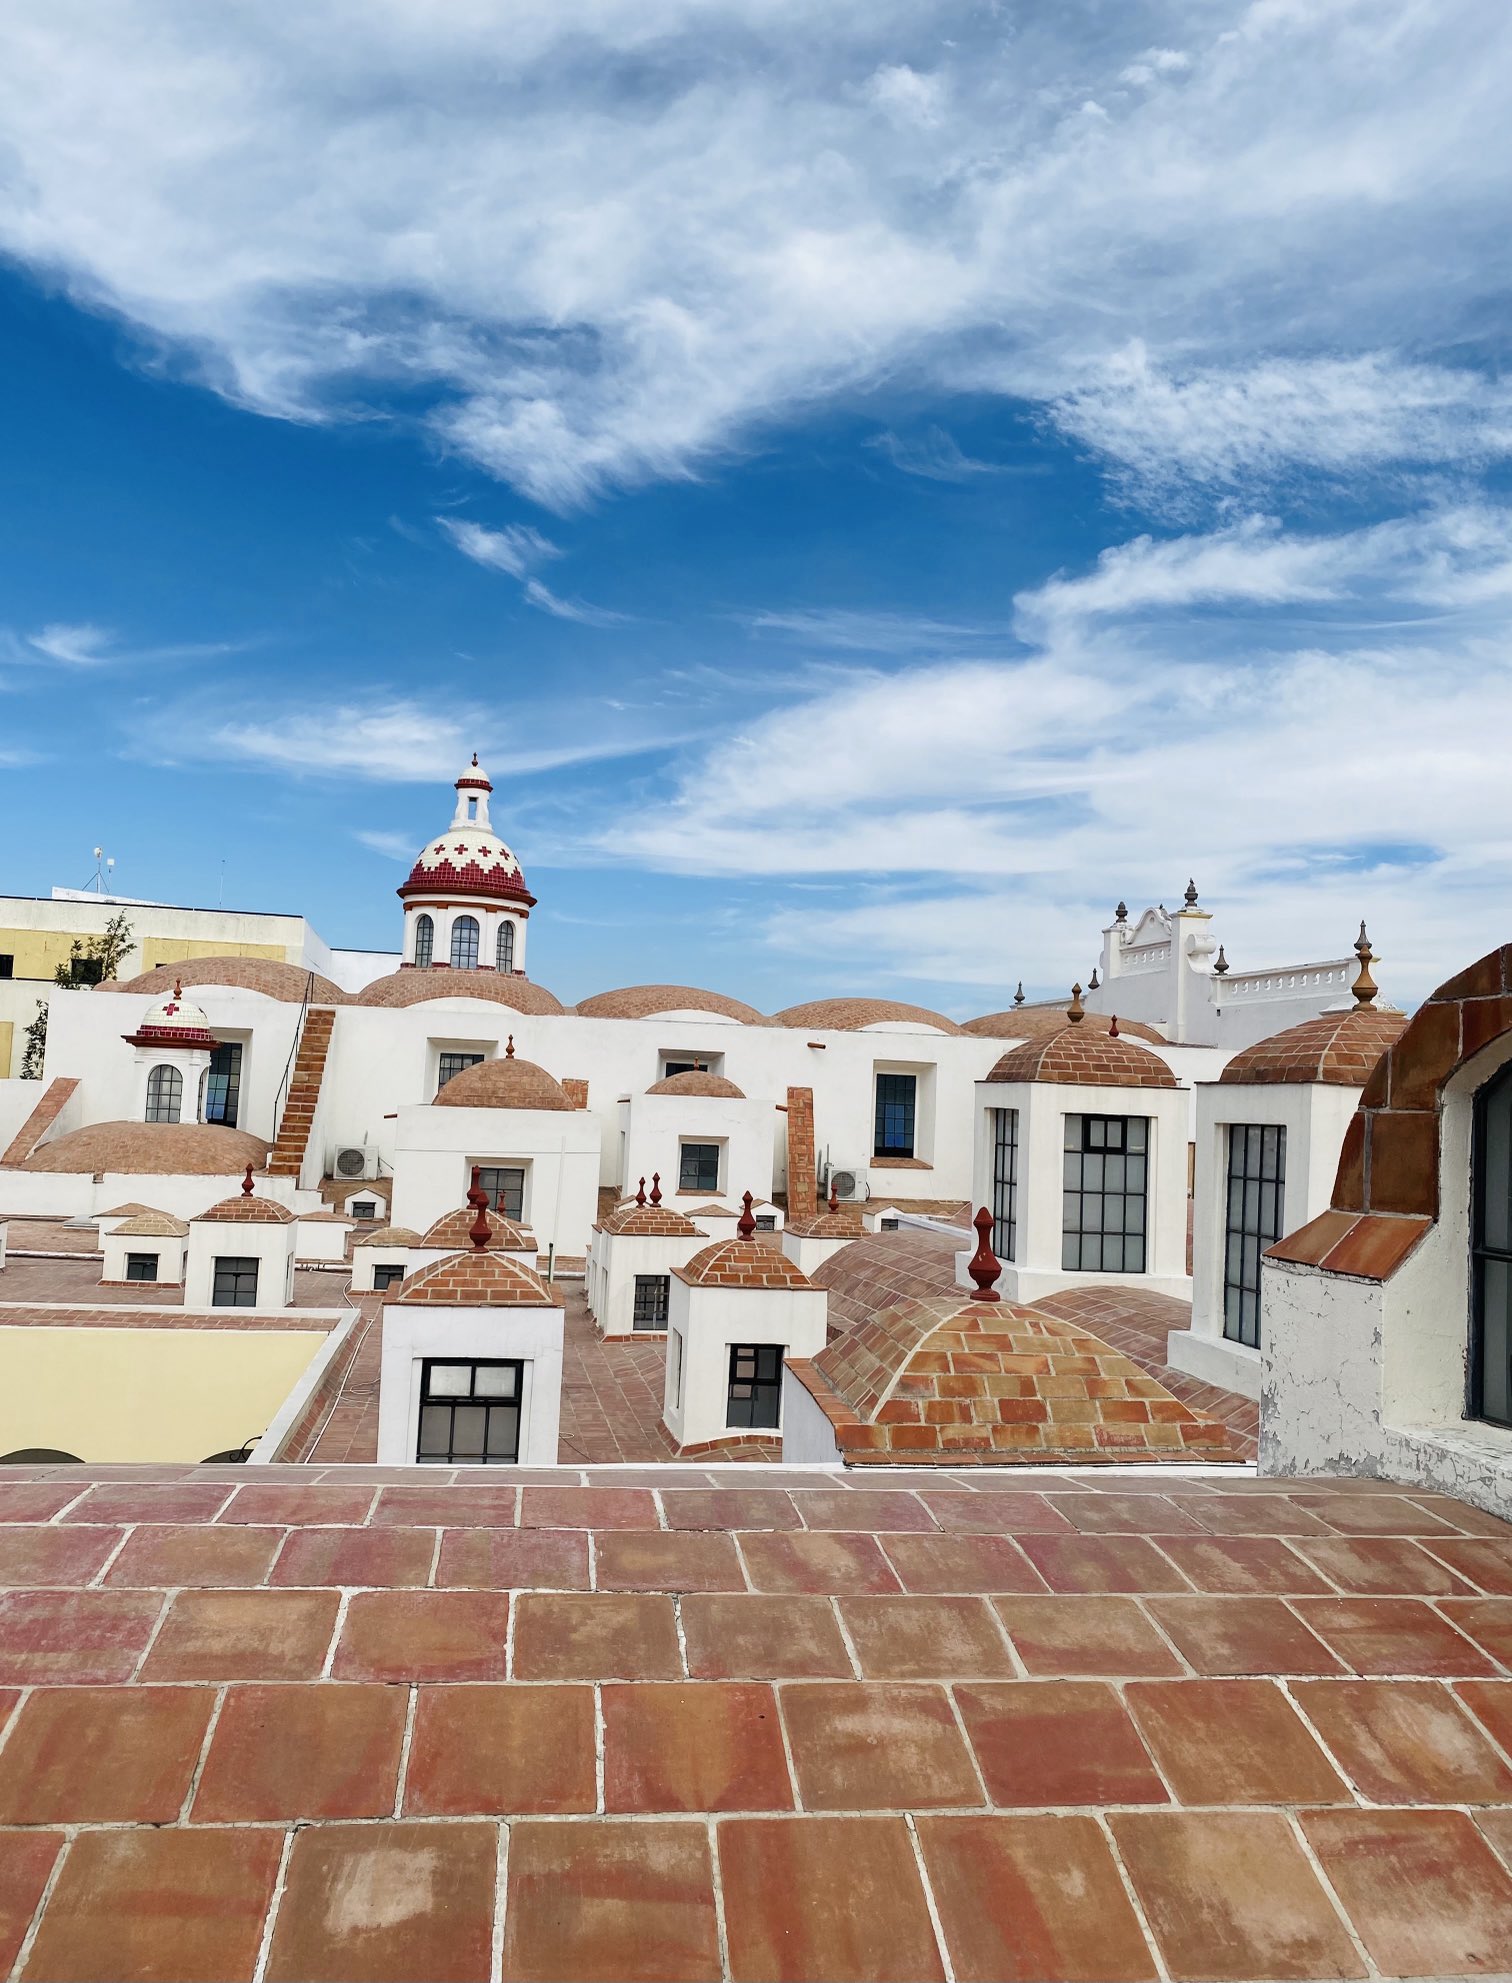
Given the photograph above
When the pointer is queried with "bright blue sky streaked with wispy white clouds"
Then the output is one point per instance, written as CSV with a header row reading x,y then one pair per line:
x,y
876,483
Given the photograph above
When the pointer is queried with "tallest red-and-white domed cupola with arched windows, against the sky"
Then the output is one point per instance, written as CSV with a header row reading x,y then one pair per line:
x,y
467,899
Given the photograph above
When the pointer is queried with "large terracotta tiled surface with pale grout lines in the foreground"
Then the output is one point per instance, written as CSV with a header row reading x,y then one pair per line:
x,y
711,1722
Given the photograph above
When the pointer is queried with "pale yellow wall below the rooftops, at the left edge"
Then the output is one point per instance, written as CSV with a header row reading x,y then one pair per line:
x,y
136,1395
